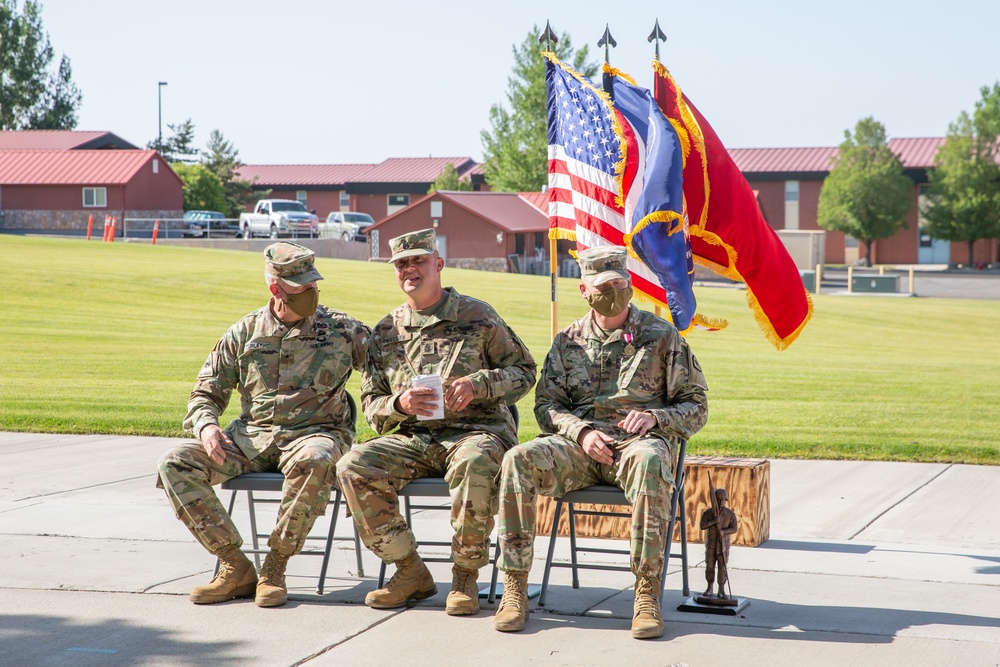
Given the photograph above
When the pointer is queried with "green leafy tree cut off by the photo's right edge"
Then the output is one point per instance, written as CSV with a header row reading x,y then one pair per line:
x,y
963,201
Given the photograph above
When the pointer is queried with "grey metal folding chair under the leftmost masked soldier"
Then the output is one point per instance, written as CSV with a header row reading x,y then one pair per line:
x,y
272,481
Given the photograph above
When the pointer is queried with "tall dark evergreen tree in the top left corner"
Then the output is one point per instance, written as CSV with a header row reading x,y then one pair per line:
x,y
32,95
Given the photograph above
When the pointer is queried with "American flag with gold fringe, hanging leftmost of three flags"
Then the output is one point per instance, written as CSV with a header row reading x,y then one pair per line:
x,y
584,153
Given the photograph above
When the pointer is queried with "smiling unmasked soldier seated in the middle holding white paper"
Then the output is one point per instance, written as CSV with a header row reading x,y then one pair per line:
x,y
484,367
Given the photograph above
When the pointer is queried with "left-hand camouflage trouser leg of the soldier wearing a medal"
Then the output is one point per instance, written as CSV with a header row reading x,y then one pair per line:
x,y
551,466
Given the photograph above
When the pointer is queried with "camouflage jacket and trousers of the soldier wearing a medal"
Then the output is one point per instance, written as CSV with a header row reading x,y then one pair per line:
x,y
592,379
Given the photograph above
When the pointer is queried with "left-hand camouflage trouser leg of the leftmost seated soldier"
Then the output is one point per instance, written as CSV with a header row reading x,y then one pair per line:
x,y
187,475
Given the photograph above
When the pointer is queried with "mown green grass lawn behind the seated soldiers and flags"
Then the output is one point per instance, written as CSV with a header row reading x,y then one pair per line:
x,y
108,338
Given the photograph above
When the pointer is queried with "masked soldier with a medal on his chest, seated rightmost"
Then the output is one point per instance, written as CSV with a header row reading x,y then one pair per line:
x,y
618,390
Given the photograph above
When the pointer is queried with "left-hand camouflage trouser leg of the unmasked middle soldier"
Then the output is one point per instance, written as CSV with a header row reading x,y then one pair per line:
x,y
369,476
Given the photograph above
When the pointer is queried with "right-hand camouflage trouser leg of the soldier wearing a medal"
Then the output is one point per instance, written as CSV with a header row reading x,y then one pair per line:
x,y
646,475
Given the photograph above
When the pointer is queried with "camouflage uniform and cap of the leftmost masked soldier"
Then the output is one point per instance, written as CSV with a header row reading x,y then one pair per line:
x,y
295,418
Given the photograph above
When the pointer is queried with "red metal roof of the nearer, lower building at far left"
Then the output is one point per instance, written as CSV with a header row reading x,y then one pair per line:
x,y
52,167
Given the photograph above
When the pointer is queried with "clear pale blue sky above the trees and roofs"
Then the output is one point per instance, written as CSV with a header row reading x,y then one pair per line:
x,y
304,81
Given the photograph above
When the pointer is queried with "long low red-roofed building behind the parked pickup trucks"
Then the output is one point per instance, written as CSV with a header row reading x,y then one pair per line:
x,y
376,189
